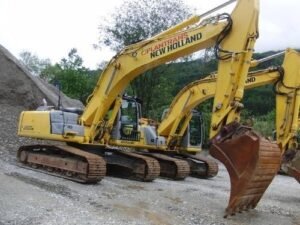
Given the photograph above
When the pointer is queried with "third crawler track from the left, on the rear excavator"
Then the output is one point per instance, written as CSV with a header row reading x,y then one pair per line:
x,y
170,167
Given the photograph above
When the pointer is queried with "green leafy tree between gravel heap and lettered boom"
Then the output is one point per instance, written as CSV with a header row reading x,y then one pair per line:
x,y
75,80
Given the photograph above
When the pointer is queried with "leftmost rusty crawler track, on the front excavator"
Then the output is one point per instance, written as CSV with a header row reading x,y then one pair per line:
x,y
63,161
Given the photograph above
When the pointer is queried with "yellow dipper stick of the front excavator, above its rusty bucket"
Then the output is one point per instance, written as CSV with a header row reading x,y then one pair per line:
x,y
233,71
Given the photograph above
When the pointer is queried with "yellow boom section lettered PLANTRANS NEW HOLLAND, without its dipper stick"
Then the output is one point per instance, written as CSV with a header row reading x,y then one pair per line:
x,y
136,59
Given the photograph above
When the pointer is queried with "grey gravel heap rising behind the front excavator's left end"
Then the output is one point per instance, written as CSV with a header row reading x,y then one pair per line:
x,y
19,90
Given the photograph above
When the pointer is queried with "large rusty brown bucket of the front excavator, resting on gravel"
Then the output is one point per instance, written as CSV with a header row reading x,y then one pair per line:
x,y
251,161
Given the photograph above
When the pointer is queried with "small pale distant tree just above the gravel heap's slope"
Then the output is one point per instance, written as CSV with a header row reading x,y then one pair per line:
x,y
33,63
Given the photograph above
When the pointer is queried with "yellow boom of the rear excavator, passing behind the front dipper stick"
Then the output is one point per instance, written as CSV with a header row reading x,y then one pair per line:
x,y
199,91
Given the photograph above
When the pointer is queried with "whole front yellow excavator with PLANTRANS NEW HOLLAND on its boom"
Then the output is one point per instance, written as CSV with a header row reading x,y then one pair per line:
x,y
92,131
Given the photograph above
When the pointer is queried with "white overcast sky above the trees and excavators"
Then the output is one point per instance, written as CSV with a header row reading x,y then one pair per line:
x,y
50,28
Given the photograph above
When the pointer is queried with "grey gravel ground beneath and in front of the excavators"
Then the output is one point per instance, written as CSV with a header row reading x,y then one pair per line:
x,y
29,197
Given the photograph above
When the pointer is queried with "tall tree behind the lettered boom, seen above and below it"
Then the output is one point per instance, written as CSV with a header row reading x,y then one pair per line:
x,y
134,21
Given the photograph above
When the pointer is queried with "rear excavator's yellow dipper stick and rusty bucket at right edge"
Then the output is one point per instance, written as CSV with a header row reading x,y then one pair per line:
x,y
287,113
